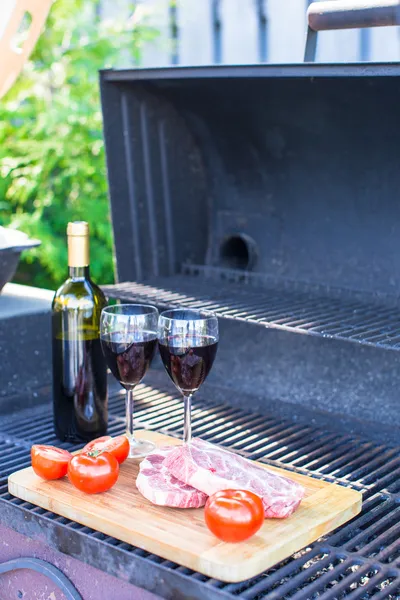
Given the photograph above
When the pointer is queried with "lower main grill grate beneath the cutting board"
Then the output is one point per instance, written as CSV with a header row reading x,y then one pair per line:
x,y
360,560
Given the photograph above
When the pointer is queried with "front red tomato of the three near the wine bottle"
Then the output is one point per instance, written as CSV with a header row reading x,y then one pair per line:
x,y
93,473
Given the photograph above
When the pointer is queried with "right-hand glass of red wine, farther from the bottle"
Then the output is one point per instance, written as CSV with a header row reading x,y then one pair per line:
x,y
187,341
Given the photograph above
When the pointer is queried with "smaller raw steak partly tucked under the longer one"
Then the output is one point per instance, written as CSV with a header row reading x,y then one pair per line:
x,y
159,486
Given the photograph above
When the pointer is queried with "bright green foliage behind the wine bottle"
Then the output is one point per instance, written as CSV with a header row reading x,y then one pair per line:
x,y
52,164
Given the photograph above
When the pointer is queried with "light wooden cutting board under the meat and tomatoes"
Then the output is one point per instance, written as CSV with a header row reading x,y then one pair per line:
x,y
180,535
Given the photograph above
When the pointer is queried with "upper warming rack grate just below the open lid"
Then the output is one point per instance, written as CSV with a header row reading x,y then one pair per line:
x,y
291,307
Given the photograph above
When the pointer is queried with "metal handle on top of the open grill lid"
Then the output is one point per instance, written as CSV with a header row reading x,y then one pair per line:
x,y
347,14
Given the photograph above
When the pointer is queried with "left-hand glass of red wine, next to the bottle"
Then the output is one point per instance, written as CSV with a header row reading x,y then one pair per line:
x,y
128,334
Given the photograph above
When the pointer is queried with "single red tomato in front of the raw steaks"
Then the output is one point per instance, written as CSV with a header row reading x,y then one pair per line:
x,y
234,515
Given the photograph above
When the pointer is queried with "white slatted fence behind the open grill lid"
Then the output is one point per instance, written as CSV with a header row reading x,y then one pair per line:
x,y
244,37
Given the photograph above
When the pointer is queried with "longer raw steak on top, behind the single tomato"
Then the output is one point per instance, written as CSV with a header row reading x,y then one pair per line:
x,y
210,469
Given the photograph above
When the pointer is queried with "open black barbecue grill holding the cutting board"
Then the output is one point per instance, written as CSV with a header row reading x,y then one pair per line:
x,y
268,194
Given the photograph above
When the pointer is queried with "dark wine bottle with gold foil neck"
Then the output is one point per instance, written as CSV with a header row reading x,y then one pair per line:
x,y
79,369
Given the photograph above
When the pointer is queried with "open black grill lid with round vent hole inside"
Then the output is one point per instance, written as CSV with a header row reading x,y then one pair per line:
x,y
288,171
